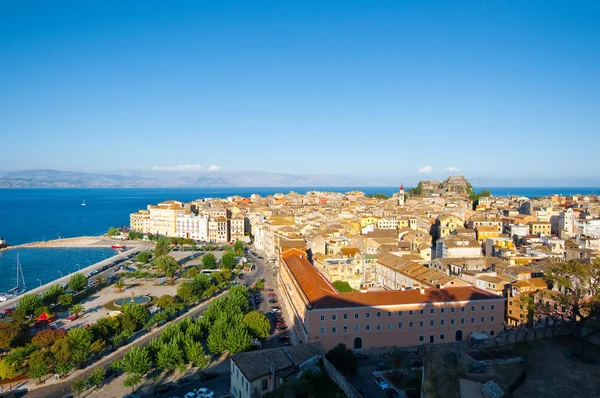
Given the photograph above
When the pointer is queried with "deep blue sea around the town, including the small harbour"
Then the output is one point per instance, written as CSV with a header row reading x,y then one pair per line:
x,y
32,215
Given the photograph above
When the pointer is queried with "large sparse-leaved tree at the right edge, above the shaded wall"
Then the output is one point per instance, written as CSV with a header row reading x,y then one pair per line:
x,y
576,304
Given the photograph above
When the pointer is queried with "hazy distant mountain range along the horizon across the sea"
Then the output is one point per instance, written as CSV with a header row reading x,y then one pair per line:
x,y
72,179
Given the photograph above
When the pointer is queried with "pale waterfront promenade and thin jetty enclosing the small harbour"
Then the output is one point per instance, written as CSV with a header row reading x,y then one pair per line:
x,y
132,247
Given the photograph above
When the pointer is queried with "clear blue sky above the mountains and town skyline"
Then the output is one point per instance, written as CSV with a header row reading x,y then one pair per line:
x,y
500,90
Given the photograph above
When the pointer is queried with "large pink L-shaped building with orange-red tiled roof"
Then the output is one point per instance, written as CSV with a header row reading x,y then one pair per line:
x,y
363,320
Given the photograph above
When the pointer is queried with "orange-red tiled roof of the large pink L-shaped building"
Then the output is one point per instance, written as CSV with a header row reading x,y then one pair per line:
x,y
322,294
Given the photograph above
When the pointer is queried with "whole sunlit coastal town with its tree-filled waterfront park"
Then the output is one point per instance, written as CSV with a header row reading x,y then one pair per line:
x,y
431,291
